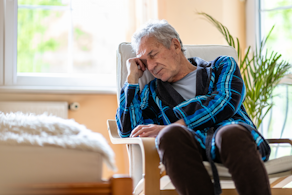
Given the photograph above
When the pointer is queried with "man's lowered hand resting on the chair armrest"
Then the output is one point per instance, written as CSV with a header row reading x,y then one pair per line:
x,y
146,130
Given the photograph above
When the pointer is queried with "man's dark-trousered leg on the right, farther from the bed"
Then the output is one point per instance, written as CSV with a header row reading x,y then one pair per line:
x,y
238,152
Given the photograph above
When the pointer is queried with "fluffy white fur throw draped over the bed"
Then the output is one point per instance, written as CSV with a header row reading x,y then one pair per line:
x,y
46,130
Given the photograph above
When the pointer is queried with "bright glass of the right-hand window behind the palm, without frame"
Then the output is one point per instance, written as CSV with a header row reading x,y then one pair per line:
x,y
277,123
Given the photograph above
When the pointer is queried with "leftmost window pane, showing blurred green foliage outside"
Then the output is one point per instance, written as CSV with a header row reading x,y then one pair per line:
x,y
42,41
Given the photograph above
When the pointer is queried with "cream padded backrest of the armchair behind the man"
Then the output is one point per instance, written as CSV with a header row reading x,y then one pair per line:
x,y
206,52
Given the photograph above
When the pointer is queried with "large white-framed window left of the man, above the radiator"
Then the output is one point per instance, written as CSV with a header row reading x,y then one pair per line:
x,y
61,45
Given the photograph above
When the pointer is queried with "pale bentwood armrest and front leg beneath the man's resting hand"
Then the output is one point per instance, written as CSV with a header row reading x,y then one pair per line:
x,y
149,154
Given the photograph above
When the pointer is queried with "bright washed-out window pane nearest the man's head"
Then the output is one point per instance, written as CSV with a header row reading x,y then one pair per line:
x,y
98,27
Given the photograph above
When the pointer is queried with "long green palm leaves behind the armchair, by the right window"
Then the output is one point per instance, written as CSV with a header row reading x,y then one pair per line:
x,y
261,71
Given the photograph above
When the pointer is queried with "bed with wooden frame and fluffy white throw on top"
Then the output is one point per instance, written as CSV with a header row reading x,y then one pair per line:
x,y
43,154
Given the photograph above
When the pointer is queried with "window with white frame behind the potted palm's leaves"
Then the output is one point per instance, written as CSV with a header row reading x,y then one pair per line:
x,y
261,16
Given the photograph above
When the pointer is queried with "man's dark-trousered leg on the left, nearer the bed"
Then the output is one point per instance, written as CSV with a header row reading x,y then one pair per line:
x,y
182,156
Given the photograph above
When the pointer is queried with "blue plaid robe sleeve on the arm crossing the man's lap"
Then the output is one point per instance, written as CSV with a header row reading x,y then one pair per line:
x,y
226,95
